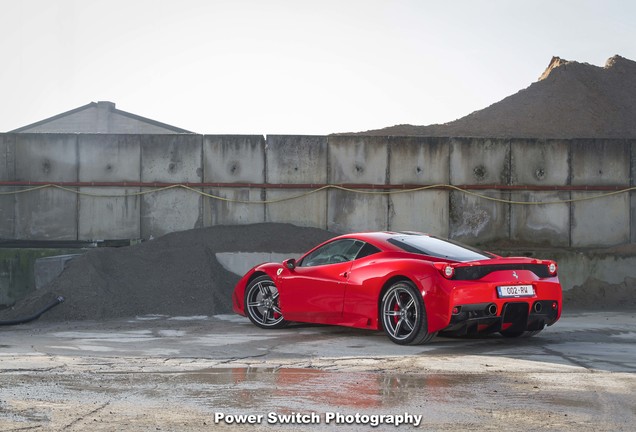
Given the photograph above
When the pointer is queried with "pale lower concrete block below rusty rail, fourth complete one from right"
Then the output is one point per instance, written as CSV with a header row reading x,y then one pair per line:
x,y
424,211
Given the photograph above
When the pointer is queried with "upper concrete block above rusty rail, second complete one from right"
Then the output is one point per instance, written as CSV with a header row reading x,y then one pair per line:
x,y
540,163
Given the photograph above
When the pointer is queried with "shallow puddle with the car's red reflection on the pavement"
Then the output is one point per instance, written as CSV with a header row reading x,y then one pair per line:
x,y
291,388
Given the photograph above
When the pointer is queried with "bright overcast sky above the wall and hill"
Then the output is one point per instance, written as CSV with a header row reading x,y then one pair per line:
x,y
292,66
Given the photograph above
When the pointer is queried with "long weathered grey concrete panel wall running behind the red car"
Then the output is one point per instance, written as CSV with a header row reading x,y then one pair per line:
x,y
561,218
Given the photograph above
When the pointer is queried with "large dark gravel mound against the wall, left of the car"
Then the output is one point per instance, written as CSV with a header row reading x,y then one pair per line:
x,y
177,274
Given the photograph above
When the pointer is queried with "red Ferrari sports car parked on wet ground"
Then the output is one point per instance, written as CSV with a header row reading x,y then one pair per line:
x,y
411,285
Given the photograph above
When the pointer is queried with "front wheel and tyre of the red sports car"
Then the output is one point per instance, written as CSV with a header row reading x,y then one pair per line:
x,y
261,303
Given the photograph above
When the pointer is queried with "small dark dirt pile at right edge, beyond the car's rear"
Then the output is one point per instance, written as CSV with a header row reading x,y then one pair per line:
x,y
598,295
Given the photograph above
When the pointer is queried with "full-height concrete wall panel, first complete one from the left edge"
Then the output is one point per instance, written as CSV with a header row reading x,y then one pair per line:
x,y
46,214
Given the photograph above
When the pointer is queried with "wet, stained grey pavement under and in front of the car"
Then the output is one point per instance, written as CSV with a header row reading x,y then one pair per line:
x,y
222,373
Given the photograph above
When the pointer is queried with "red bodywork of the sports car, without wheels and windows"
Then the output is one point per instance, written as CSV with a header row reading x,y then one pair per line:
x,y
349,293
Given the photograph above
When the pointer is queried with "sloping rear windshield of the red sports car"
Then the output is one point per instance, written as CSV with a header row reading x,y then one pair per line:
x,y
437,247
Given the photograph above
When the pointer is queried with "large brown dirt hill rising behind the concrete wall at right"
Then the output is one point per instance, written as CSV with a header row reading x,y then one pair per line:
x,y
570,100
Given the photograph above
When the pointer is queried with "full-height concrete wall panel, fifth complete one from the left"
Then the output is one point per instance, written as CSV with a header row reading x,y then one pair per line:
x,y
297,160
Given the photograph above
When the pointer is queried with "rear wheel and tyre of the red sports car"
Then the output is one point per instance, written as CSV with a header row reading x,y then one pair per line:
x,y
403,315
